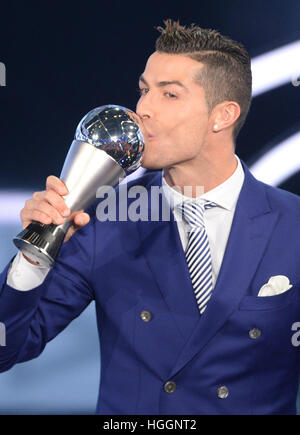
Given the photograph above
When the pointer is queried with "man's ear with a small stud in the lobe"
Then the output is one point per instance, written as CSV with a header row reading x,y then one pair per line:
x,y
224,115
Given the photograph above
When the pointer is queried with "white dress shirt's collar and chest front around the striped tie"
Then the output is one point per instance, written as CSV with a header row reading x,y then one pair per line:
x,y
217,220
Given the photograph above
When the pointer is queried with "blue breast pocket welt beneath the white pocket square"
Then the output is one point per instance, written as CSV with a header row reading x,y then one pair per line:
x,y
251,303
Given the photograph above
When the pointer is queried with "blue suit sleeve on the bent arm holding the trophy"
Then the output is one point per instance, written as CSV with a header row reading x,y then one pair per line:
x,y
34,317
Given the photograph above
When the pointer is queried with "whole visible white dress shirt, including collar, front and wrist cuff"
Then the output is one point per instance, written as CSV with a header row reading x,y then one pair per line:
x,y
25,276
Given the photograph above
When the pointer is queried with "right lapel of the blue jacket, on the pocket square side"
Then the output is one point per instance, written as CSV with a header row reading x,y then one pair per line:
x,y
251,229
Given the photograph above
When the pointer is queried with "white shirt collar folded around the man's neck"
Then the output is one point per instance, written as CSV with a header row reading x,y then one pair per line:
x,y
225,195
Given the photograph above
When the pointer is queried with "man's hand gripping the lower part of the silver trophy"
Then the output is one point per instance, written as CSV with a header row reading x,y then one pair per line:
x,y
49,207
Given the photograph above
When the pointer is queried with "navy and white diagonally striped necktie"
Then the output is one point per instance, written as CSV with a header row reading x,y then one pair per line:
x,y
198,252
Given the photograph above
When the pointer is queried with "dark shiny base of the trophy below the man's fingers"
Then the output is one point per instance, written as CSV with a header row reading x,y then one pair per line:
x,y
40,242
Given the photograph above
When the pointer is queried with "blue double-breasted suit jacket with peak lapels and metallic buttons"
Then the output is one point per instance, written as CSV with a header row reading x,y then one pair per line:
x,y
130,267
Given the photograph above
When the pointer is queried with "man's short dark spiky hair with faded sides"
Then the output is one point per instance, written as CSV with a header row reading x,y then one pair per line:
x,y
226,74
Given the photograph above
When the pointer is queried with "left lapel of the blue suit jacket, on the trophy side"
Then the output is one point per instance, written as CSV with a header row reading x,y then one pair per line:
x,y
163,251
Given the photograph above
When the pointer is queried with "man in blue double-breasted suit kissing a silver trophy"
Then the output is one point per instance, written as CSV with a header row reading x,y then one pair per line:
x,y
195,316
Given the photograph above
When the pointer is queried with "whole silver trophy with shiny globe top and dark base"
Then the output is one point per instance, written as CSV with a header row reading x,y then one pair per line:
x,y
108,145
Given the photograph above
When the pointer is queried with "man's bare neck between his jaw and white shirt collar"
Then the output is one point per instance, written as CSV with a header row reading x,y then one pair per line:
x,y
201,175
